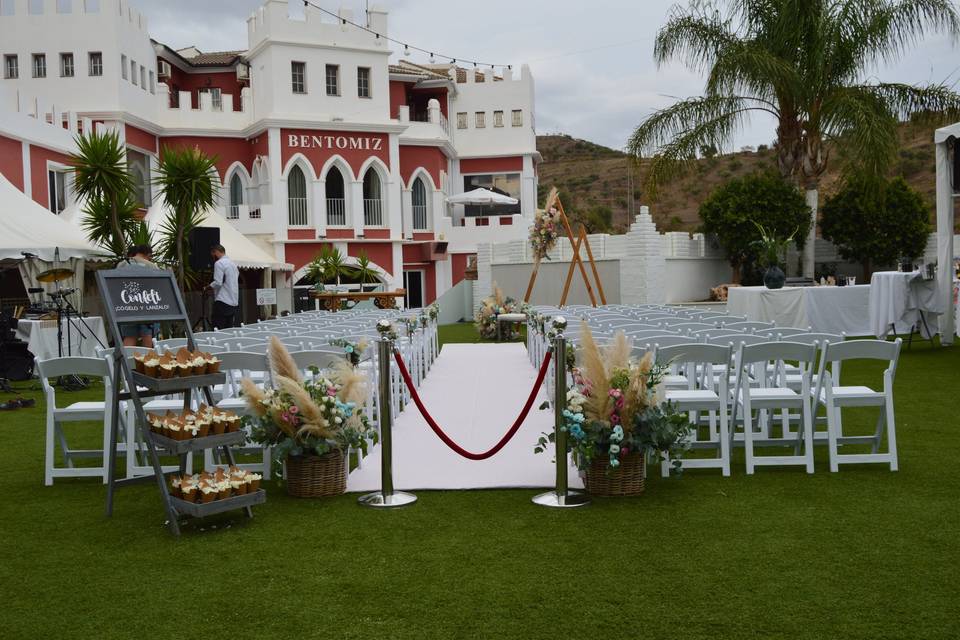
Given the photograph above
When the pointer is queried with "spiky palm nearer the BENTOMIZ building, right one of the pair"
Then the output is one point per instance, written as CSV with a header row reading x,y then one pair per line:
x,y
185,180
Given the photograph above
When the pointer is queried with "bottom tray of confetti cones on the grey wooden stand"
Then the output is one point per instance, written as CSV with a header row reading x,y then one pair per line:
x,y
207,493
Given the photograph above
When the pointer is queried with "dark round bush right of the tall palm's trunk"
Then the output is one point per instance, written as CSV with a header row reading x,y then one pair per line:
x,y
876,221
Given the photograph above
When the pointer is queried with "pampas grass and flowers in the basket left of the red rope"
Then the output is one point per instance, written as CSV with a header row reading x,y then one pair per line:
x,y
311,417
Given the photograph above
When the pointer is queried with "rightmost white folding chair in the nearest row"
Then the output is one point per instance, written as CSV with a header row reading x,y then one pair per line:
x,y
836,396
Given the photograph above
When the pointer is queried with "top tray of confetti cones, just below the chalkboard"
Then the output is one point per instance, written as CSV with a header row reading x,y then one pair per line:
x,y
174,371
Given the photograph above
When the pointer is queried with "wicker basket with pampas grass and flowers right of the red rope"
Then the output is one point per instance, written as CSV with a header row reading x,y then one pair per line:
x,y
616,418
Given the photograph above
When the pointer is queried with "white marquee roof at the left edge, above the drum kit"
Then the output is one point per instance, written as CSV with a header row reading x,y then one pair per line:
x,y
26,226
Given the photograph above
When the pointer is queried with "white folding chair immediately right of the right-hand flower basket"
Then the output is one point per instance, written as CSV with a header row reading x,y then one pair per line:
x,y
704,393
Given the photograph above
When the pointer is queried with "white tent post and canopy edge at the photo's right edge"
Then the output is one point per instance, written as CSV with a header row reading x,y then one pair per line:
x,y
946,140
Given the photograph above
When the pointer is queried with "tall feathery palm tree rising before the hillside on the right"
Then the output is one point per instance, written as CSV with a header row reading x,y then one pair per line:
x,y
805,63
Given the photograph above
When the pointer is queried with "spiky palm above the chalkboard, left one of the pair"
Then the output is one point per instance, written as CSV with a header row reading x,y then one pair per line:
x,y
101,179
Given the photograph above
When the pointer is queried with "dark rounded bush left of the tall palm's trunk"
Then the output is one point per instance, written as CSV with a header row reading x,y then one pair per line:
x,y
733,211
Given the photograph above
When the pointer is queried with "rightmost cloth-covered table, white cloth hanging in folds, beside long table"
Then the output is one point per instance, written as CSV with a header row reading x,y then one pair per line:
x,y
899,299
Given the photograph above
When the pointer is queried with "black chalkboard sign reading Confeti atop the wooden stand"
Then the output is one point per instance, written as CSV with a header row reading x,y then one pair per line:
x,y
136,294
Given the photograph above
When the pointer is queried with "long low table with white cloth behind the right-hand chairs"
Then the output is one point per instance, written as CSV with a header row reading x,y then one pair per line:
x,y
823,309
